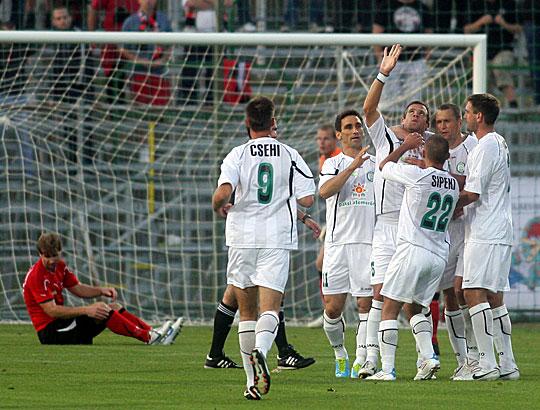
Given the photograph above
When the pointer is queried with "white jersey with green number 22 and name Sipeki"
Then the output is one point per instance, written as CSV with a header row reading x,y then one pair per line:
x,y
428,204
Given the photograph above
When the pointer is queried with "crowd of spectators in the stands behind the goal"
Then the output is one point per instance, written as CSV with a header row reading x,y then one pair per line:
x,y
506,22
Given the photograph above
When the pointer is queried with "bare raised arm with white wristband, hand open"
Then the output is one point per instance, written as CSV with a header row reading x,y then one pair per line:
x,y
373,97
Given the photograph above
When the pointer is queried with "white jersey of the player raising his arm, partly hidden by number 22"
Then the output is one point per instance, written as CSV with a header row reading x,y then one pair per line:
x,y
388,194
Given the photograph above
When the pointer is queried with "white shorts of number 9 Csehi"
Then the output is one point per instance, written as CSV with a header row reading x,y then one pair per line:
x,y
248,267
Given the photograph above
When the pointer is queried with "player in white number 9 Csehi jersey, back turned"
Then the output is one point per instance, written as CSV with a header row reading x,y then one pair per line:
x,y
268,178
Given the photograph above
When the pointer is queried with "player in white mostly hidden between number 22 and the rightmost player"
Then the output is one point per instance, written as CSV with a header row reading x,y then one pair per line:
x,y
458,321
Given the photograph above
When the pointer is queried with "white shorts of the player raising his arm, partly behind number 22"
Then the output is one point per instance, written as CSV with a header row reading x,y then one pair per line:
x,y
383,248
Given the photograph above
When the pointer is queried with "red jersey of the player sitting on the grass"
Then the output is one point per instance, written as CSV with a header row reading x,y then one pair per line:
x,y
41,285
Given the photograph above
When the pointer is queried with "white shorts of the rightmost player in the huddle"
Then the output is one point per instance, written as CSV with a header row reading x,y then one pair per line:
x,y
486,266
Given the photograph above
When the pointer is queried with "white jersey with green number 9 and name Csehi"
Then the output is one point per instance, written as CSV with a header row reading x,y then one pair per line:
x,y
268,177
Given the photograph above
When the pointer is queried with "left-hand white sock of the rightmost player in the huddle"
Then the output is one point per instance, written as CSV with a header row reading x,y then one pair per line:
x,y
482,322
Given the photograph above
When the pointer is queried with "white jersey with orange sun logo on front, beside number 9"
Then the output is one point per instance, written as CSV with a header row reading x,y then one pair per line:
x,y
350,213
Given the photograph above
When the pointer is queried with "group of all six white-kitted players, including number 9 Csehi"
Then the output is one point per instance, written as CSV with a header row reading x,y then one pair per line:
x,y
430,212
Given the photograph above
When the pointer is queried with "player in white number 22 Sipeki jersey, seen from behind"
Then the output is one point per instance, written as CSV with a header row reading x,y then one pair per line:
x,y
416,268
